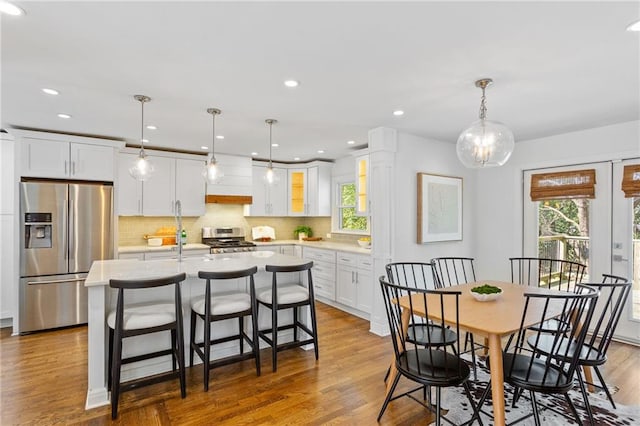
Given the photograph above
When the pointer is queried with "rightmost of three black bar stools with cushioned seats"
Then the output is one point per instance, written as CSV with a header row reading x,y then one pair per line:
x,y
289,296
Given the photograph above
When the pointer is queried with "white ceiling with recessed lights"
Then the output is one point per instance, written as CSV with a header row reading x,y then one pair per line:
x,y
557,67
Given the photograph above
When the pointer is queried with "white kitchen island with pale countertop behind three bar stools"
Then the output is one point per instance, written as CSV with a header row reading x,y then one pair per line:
x,y
102,299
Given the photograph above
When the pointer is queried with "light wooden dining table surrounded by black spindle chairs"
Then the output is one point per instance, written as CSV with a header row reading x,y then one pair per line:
x,y
492,320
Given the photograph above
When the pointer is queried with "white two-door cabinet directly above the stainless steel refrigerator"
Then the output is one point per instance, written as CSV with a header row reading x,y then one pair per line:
x,y
66,160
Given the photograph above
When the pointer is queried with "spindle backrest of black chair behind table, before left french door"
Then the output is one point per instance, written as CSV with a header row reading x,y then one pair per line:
x,y
550,273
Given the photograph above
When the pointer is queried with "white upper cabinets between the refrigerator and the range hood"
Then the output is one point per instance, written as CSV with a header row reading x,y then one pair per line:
x,y
173,179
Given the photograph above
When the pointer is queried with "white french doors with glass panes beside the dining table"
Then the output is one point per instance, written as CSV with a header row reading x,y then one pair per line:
x,y
598,232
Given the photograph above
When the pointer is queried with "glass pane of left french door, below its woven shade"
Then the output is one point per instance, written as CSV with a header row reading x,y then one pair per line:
x,y
563,231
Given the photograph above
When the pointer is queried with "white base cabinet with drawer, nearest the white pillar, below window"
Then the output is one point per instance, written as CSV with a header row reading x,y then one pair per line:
x,y
353,281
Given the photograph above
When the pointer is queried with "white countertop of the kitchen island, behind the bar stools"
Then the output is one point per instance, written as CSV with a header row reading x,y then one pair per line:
x,y
103,270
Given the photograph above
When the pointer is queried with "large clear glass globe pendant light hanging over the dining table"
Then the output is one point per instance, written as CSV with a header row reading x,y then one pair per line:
x,y
485,143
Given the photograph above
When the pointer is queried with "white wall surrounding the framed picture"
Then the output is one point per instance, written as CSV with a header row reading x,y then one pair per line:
x,y
419,155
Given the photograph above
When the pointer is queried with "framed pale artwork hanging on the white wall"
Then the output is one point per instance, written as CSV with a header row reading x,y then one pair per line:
x,y
439,208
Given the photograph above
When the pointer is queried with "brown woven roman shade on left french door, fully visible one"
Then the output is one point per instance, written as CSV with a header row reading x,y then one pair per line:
x,y
572,184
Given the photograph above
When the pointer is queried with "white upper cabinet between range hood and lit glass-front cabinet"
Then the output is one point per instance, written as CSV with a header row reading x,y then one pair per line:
x,y
269,199
